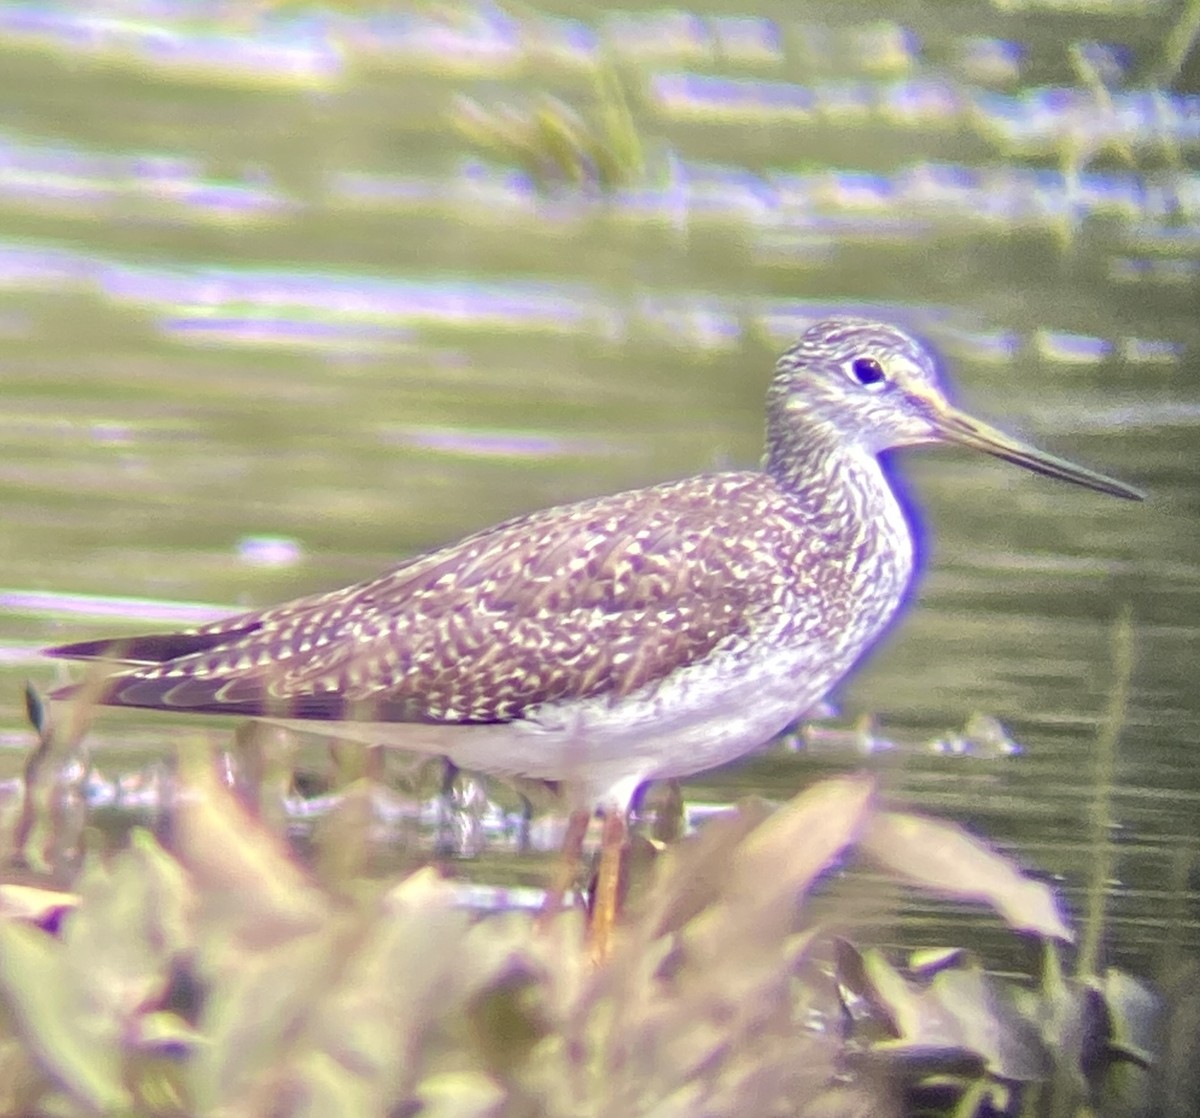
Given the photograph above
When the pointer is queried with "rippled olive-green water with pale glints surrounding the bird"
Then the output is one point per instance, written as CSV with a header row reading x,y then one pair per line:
x,y
273,320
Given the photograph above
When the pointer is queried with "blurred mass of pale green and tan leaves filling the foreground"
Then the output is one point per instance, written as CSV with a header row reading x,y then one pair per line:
x,y
207,971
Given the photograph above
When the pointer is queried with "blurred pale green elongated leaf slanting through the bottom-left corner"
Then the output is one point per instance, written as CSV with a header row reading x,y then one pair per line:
x,y
80,1050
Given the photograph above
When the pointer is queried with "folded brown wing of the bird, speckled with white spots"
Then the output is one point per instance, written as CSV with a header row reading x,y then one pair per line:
x,y
599,598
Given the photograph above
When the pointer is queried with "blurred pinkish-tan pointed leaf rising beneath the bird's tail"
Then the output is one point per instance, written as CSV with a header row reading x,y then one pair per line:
x,y
247,881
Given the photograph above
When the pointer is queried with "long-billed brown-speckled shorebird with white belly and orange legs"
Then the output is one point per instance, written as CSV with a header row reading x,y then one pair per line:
x,y
610,642
